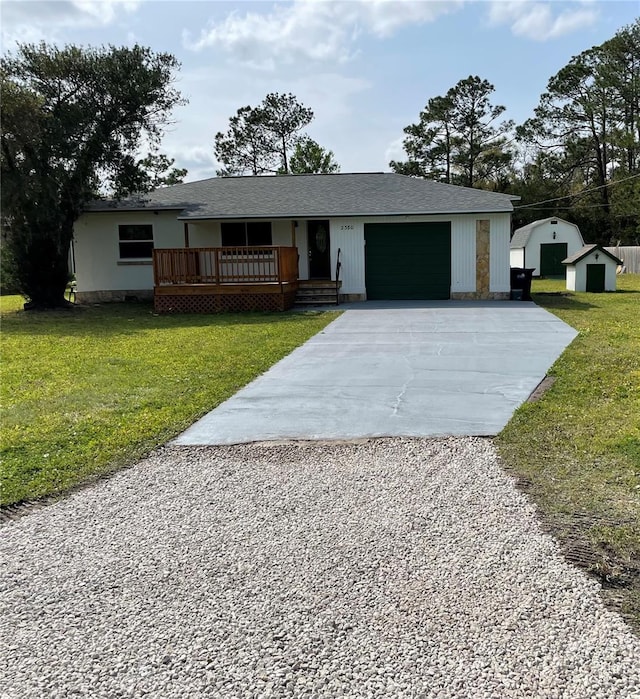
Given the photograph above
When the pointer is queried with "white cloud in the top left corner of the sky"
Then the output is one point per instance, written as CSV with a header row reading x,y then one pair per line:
x,y
31,21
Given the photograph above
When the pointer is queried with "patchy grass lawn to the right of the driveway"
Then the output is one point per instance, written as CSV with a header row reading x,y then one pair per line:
x,y
577,450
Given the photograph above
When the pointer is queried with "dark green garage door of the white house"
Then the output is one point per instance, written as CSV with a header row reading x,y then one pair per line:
x,y
408,260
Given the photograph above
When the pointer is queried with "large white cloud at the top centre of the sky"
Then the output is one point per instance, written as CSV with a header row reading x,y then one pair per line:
x,y
314,29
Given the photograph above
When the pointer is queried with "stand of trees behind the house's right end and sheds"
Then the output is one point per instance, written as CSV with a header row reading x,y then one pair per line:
x,y
577,157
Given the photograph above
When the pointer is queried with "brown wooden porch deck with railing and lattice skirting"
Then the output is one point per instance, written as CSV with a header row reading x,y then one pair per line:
x,y
213,280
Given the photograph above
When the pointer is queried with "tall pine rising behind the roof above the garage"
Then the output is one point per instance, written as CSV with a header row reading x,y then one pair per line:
x,y
458,138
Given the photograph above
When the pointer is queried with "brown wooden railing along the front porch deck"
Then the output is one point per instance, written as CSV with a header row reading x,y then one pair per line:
x,y
237,265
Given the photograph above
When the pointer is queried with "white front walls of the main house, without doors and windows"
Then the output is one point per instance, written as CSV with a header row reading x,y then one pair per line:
x,y
96,248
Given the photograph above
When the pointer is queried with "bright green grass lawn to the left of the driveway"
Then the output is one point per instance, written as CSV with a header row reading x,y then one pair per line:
x,y
87,391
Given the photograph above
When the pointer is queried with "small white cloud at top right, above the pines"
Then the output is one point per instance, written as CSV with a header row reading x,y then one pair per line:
x,y
542,21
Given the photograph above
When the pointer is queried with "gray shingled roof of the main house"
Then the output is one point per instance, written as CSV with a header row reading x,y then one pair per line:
x,y
306,196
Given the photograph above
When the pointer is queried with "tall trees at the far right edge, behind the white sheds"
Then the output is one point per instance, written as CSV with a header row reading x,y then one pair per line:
x,y
589,118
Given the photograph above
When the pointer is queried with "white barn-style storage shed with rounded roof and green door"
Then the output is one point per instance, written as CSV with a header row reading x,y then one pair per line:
x,y
543,245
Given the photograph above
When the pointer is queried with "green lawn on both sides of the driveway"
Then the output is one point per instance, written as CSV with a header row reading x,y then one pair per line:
x,y
87,391
